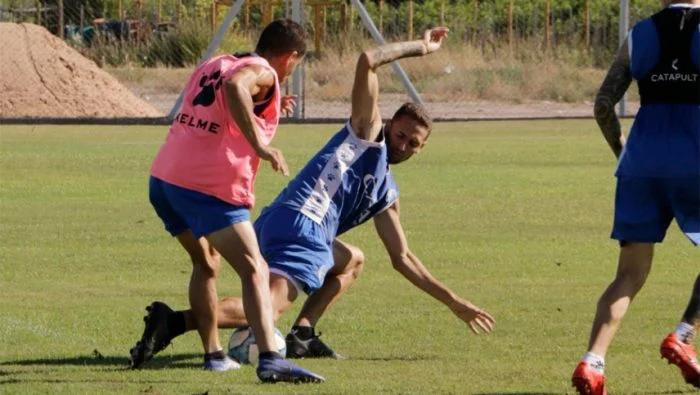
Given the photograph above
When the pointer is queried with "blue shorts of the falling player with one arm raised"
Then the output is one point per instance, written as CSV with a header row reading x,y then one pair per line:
x,y
294,247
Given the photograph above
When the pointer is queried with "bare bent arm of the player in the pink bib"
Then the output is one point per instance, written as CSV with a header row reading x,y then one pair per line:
x,y
240,90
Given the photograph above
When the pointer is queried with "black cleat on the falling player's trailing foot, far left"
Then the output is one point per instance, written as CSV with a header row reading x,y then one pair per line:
x,y
156,336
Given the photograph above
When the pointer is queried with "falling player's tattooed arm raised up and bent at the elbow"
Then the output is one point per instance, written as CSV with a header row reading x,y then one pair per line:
x,y
365,118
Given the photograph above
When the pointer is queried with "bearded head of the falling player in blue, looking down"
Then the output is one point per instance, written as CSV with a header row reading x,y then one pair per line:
x,y
407,132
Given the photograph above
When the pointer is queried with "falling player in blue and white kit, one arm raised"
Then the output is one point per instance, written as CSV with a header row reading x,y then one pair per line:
x,y
344,185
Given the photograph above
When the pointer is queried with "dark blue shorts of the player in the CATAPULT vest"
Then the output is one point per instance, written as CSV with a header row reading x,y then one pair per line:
x,y
645,207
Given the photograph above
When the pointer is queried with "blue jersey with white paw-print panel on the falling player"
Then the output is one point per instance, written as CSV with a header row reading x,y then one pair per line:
x,y
346,183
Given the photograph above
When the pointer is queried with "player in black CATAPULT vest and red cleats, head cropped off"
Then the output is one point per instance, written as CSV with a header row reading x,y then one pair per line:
x,y
658,175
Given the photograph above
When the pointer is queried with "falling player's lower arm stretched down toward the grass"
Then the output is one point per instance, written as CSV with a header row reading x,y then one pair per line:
x,y
405,262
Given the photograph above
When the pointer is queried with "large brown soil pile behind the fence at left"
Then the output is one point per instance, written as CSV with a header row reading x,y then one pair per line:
x,y
41,76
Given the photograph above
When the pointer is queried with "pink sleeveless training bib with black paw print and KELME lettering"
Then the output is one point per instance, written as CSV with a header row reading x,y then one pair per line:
x,y
205,150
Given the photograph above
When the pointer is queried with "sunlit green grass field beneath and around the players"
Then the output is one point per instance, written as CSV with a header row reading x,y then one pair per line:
x,y
514,216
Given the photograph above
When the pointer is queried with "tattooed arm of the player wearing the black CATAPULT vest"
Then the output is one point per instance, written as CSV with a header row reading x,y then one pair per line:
x,y
611,91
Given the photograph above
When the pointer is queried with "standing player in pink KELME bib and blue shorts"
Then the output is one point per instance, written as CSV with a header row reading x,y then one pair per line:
x,y
201,186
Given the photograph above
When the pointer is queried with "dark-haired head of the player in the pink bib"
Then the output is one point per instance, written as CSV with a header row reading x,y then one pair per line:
x,y
283,44
